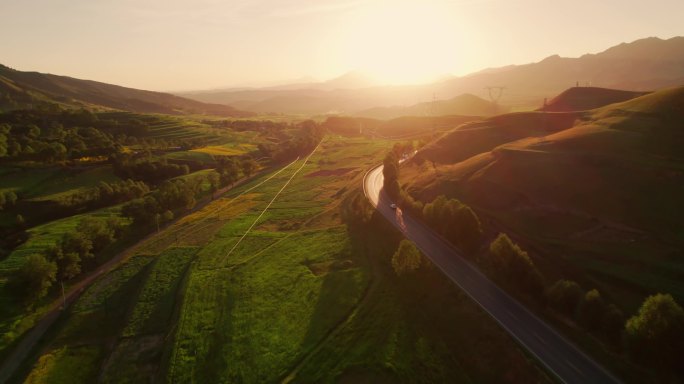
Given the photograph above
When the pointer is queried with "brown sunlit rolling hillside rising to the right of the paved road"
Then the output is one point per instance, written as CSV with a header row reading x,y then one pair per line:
x,y
598,198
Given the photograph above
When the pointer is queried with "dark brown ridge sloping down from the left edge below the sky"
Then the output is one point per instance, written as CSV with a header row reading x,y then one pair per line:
x,y
25,89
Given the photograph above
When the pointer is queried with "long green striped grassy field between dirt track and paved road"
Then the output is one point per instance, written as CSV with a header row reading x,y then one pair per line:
x,y
296,297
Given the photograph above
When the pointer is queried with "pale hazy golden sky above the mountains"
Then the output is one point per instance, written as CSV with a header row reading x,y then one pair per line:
x,y
199,44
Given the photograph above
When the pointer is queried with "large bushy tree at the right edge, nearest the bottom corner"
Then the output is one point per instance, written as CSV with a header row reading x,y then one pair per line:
x,y
656,332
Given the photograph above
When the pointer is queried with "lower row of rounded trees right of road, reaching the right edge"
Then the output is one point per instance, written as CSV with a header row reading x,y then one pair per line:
x,y
655,335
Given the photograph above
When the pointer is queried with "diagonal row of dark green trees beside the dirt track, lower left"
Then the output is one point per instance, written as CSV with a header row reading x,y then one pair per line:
x,y
72,255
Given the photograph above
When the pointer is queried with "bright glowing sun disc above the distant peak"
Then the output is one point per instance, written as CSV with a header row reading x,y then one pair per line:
x,y
401,42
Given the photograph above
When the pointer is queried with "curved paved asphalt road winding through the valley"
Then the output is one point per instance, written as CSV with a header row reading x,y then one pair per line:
x,y
559,356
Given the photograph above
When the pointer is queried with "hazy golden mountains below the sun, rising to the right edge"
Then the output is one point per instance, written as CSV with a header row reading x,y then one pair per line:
x,y
643,65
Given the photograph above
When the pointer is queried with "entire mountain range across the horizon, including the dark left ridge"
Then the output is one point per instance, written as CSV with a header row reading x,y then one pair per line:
x,y
641,66
